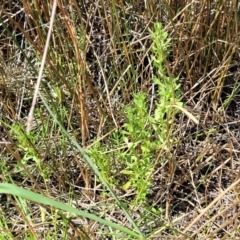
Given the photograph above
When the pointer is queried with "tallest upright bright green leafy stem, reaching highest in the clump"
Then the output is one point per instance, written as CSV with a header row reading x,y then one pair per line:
x,y
168,88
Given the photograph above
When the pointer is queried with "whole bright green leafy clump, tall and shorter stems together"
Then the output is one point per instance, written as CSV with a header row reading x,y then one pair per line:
x,y
132,162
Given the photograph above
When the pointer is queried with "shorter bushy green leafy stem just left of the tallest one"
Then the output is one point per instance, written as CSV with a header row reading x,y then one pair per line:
x,y
137,136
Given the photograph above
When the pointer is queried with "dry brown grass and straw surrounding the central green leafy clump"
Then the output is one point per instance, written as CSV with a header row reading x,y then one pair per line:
x,y
99,56
